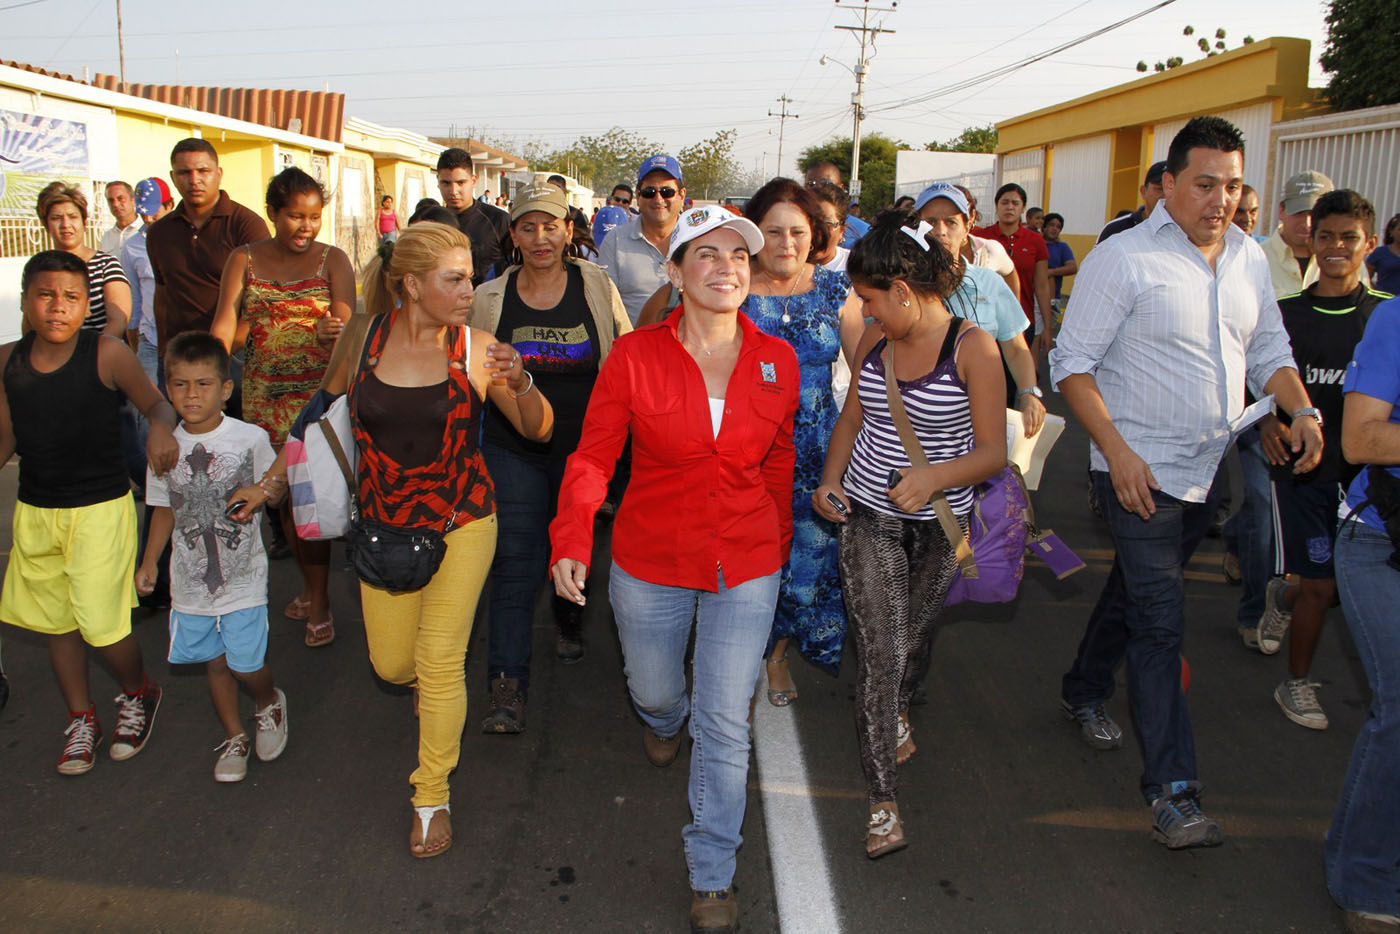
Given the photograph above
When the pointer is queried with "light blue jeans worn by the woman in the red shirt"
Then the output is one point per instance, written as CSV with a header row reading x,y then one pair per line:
x,y
731,631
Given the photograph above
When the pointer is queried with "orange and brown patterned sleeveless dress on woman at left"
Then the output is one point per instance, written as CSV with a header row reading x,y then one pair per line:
x,y
283,363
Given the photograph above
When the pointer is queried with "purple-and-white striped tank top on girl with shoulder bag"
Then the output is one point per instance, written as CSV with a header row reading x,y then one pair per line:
x,y
937,407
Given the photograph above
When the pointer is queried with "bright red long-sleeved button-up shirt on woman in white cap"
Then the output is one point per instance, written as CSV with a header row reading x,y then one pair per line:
x,y
698,505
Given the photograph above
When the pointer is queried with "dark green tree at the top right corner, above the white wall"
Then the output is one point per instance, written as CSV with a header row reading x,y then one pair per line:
x,y
1360,54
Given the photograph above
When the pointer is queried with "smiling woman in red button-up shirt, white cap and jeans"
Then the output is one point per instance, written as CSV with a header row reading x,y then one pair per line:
x,y
703,530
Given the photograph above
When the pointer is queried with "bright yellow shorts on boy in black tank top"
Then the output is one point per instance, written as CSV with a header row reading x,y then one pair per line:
x,y
73,569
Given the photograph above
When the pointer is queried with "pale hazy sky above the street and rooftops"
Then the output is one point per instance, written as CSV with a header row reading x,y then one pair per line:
x,y
674,74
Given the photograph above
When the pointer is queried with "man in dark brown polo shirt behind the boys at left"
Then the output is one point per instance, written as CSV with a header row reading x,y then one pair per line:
x,y
188,247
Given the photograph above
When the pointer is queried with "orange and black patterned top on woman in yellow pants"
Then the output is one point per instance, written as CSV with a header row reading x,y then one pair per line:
x,y
419,460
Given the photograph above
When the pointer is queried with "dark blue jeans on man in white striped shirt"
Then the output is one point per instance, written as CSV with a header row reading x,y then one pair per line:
x,y
1142,617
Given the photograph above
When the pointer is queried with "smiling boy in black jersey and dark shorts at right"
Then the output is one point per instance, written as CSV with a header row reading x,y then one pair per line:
x,y
1325,323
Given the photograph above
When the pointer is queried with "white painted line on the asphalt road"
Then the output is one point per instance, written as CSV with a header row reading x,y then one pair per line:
x,y
799,859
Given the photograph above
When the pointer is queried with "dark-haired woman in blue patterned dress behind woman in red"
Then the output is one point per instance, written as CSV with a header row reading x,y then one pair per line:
x,y
815,312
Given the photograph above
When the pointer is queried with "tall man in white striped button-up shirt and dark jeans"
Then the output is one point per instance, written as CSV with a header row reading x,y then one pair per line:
x,y
1168,323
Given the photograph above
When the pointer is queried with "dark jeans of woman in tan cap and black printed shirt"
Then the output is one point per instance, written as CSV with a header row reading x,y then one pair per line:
x,y
527,492
